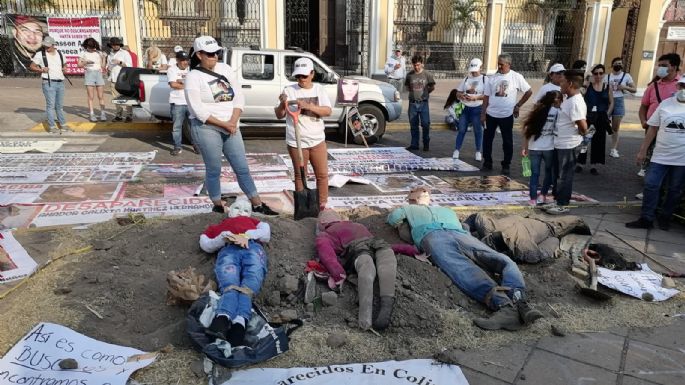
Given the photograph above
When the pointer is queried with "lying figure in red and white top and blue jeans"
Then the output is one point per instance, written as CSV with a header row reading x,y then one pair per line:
x,y
240,268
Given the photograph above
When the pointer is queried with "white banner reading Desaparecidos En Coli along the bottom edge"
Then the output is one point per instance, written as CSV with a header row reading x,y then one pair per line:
x,y
417,372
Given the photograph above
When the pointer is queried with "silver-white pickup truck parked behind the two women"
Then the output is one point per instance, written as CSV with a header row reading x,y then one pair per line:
x,y
262,75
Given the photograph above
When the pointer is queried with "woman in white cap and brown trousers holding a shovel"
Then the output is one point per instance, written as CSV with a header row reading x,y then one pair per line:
x,y
304,104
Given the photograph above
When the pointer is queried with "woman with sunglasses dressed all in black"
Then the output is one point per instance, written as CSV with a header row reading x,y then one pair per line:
x,y
600,105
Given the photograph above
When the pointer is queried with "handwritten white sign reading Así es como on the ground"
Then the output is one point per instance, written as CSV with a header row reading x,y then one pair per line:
x,y
35,359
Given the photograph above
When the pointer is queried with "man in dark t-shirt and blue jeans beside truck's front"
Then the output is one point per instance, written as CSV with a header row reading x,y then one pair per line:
x,y
420,84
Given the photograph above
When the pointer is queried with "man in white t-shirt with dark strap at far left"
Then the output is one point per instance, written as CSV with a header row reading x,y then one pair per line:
x,y
49,62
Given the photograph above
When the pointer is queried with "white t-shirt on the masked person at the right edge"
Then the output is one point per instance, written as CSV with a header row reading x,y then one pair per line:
x,y
670,139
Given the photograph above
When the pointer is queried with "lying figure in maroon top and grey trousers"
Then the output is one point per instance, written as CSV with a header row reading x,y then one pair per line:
x,y
345,246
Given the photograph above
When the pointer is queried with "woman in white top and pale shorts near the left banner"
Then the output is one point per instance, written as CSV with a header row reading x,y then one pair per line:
x,y
93,61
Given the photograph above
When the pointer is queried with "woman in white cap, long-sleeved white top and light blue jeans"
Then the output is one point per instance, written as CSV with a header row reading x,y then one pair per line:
x,y
215,102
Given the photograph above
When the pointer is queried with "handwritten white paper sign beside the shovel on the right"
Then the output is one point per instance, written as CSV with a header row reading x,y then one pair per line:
x,y
636,283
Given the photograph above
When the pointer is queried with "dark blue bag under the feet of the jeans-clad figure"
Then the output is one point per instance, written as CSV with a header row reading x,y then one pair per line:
x,y
263,340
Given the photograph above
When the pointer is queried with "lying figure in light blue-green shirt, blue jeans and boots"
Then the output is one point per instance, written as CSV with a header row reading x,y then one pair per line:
x,y
467,261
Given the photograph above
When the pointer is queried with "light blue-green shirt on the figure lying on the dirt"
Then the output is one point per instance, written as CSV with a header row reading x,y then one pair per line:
x,y
424,219
